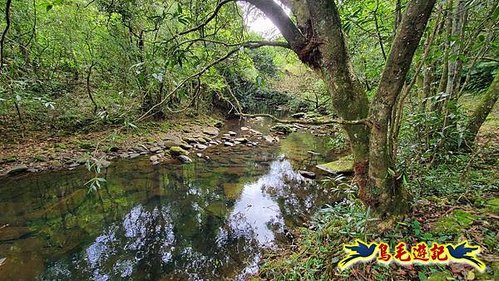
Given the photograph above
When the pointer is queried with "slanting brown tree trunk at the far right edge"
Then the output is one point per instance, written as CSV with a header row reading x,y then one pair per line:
x,y
480,114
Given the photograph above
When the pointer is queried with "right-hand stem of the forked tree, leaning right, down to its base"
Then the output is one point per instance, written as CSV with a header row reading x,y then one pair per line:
x,y
385,194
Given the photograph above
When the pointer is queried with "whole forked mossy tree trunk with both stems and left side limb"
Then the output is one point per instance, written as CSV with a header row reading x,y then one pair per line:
x,y
319,42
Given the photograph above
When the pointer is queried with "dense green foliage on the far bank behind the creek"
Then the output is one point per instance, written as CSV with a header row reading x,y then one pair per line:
x,y
128,56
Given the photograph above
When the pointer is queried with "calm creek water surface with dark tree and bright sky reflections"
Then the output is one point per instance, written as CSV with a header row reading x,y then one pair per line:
x,y
204,221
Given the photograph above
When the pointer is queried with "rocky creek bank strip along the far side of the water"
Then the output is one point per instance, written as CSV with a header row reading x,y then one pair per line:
x,y
163,144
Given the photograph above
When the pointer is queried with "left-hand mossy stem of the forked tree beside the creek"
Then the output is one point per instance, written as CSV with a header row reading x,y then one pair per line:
x,y
349,99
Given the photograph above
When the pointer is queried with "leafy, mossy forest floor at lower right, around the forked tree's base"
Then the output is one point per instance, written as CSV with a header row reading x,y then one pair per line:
x,y
453,201
